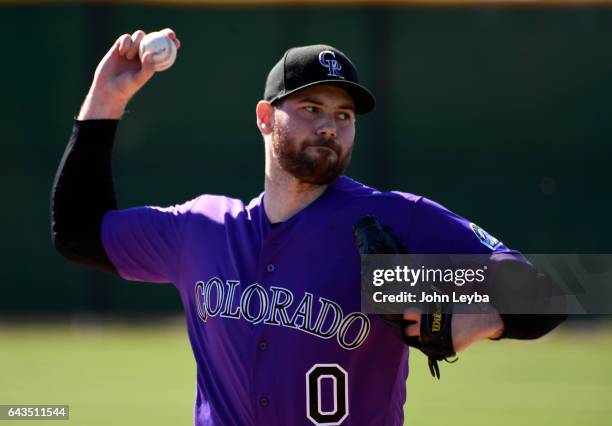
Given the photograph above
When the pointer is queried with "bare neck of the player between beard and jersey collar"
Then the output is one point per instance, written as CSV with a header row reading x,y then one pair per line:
x,y
285,195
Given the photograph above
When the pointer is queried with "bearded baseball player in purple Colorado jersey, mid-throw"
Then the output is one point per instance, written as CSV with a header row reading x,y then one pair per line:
x,y
271,287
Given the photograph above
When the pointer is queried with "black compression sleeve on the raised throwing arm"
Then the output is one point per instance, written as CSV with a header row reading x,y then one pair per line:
x,y
83,192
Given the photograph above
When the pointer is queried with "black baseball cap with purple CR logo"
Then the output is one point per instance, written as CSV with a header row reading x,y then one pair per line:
x,y
305,66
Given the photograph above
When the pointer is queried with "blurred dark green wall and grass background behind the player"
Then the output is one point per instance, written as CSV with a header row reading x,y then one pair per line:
x,y
501,113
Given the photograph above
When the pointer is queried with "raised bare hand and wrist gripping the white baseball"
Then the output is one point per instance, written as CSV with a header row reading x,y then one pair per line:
x,y
119,75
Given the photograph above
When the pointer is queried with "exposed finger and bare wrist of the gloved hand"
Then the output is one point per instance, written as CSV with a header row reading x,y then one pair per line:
x,y
466,328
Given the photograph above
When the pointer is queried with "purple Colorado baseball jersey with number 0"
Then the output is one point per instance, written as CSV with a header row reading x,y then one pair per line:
x,y
273,313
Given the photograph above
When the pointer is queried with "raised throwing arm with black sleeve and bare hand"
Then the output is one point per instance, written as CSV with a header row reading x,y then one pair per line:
x,y
83,189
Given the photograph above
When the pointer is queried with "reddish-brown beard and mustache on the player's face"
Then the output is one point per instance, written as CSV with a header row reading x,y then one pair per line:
x,y
317,161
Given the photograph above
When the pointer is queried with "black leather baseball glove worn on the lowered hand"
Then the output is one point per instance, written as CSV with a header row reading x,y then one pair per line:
x,y
435,340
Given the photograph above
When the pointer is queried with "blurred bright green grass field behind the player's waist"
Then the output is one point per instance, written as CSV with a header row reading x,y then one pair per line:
x,y
119,375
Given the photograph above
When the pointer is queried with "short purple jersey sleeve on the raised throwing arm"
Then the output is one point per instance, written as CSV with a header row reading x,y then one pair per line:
x,y
144,243
